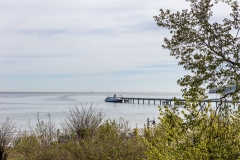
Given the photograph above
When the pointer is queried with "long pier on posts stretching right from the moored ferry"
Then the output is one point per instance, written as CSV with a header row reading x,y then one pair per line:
x,y
162,101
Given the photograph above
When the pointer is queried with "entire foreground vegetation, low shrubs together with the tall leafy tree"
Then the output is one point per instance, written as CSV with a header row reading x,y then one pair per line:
x,y
187,130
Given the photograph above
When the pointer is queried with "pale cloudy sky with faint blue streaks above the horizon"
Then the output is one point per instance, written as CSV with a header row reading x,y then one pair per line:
x,y
87,46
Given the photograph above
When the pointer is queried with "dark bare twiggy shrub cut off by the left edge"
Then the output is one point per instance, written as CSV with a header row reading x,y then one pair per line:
x,y
7,129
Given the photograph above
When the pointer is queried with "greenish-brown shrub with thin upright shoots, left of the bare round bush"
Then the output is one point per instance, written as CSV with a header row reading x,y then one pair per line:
x,y
40,142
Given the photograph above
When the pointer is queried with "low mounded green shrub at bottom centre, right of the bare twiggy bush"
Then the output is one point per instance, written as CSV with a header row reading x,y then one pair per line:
x,y
108,143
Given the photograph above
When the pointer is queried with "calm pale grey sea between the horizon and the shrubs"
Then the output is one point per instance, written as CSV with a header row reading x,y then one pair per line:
x,y
23,107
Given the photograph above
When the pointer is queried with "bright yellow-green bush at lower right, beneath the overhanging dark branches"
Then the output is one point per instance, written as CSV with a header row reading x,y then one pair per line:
x,y
194,134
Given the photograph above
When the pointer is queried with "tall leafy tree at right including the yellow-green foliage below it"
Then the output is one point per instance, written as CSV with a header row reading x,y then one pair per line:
x,y
210,50
